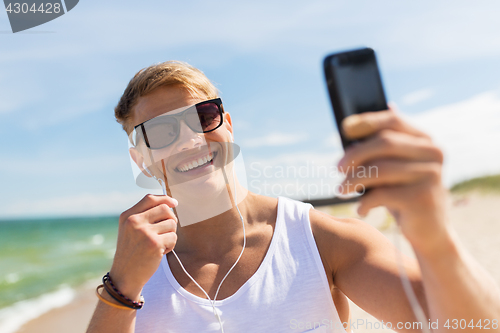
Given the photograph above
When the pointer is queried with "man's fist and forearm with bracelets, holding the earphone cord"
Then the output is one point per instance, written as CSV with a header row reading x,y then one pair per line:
x,y
146,233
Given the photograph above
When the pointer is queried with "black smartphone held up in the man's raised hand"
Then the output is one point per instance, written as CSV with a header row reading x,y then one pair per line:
x,y
354,84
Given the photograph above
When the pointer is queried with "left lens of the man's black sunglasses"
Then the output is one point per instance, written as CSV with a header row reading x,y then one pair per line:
x,y
161,132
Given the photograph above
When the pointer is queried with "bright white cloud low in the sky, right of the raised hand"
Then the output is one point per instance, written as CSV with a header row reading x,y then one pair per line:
x,y
469,134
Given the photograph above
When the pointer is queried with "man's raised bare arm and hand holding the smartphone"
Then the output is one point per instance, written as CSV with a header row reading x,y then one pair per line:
x,y
408,183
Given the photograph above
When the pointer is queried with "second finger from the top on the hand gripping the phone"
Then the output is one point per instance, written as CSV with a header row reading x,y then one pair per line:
x,y
390,144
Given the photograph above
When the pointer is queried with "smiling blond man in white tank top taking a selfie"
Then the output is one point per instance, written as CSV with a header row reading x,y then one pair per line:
x,y
298,264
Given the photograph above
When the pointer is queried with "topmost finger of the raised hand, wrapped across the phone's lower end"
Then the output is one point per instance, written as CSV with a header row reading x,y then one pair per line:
x,y
361,125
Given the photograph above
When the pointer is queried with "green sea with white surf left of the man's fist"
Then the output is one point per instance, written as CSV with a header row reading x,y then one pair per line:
x,y
44,261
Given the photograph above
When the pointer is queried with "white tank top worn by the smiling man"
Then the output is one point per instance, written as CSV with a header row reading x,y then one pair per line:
x,y
289,292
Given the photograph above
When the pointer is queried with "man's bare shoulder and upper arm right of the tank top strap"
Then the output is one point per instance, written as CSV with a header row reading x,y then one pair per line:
x,y
363,265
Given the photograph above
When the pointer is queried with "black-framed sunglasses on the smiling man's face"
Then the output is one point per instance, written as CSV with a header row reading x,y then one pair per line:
x,y
162,131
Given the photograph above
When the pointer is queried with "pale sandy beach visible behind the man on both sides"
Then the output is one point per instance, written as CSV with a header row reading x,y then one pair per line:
x,y
476,218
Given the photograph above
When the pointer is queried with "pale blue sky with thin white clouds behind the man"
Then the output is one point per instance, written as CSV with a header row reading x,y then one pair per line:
x,y
64,154
